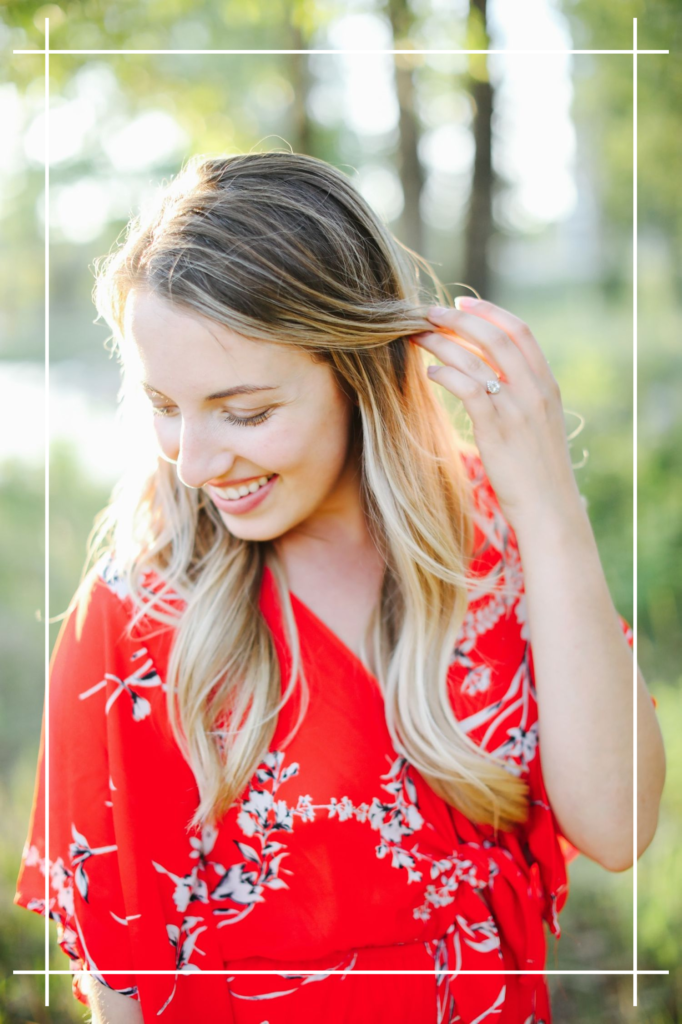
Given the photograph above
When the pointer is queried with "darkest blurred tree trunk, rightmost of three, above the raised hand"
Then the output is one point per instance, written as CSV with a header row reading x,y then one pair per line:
x,y
480,212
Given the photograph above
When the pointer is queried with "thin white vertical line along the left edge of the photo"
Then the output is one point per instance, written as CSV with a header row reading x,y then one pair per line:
x,y
48,507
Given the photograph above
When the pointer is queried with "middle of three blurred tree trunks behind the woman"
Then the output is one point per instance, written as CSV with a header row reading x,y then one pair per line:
x,y
410,169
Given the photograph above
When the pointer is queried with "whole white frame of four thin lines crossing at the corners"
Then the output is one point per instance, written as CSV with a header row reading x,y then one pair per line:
x,y
635,972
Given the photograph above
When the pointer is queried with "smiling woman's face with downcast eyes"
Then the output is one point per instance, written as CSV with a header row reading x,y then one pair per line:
x,y
301,420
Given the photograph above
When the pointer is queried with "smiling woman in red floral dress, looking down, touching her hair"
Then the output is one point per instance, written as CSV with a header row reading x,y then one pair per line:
x,y
294,721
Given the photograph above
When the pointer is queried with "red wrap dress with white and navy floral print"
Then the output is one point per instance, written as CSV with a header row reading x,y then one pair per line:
x,y
338,857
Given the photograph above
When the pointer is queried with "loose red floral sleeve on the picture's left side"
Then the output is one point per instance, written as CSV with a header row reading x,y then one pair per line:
x,y
84,897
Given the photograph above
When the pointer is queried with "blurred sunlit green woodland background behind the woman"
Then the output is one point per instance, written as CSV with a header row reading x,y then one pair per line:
x,y
513,174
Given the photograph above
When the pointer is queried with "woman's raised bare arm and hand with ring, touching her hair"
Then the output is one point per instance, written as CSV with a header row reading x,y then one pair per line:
x,y
584,666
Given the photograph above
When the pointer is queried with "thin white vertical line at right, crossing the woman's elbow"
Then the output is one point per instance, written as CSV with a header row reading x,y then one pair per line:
x,y
634,505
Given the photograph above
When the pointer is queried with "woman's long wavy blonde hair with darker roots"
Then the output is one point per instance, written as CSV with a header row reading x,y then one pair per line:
x,y
280,246
